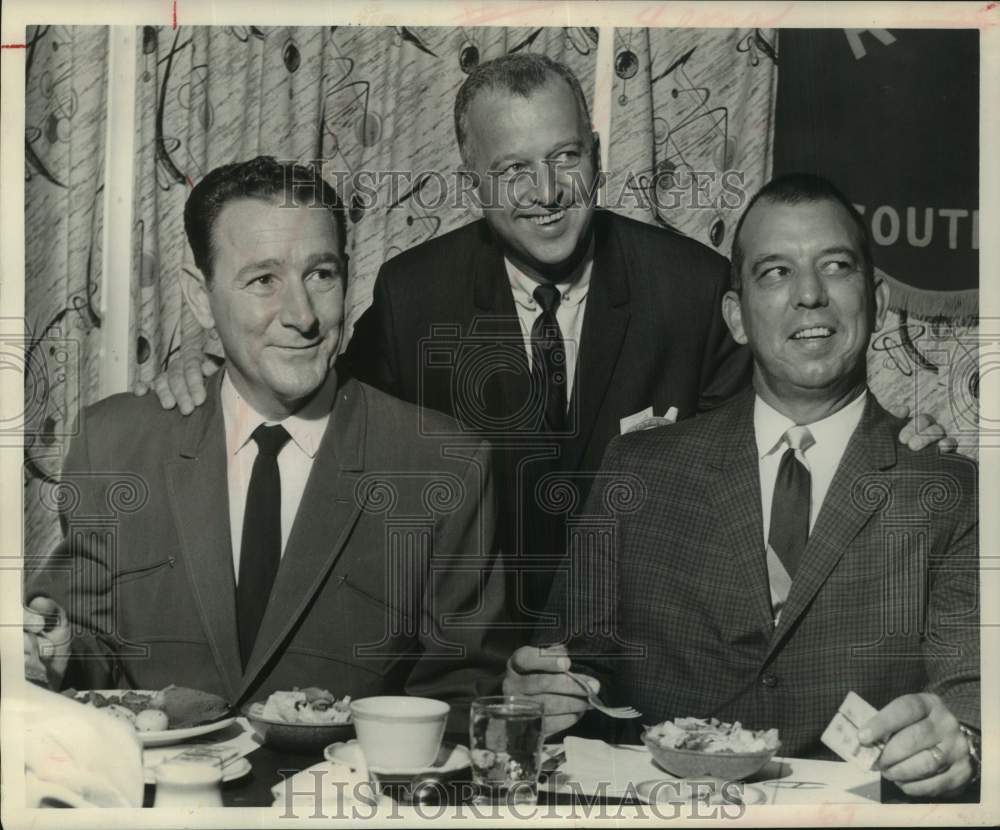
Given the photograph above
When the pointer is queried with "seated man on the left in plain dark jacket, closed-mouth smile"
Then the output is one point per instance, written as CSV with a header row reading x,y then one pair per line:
x,y
385,581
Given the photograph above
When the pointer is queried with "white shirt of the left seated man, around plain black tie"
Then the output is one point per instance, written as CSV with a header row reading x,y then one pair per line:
x,y
306,428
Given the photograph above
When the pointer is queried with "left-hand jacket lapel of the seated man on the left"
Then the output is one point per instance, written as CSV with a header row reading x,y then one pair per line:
x,y
199,499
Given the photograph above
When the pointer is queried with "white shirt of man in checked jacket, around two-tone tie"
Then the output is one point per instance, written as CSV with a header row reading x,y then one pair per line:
x,y
831,436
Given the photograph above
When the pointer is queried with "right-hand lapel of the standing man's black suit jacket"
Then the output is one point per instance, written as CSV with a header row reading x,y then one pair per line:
x,y
605,323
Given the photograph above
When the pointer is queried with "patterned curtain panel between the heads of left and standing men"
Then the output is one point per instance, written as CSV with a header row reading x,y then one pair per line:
x,y
367,101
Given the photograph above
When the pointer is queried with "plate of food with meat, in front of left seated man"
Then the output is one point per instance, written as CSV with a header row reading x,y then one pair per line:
x,y
160,718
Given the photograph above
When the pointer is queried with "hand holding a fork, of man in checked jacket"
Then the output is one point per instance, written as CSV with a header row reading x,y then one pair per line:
x,y
541,673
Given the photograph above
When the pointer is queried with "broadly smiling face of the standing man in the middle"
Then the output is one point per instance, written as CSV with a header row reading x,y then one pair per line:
x,y
536,165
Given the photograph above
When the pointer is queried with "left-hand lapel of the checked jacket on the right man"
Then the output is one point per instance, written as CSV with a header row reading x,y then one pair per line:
x,y
734,490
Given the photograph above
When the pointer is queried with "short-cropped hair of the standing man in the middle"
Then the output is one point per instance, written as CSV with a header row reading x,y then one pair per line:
x,y
517,74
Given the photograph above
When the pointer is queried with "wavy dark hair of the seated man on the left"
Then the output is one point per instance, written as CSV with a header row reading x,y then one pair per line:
x,y
264,178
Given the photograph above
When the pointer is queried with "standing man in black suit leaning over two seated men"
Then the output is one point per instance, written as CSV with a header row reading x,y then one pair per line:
x,y
546,324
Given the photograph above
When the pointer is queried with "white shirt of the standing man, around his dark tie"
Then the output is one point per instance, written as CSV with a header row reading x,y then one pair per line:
x,y
572,305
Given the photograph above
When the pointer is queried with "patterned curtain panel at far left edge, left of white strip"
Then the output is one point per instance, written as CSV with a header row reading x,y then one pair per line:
x,y
65,117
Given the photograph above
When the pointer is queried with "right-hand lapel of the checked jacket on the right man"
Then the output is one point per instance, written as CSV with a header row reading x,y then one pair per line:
x,y
844,513
